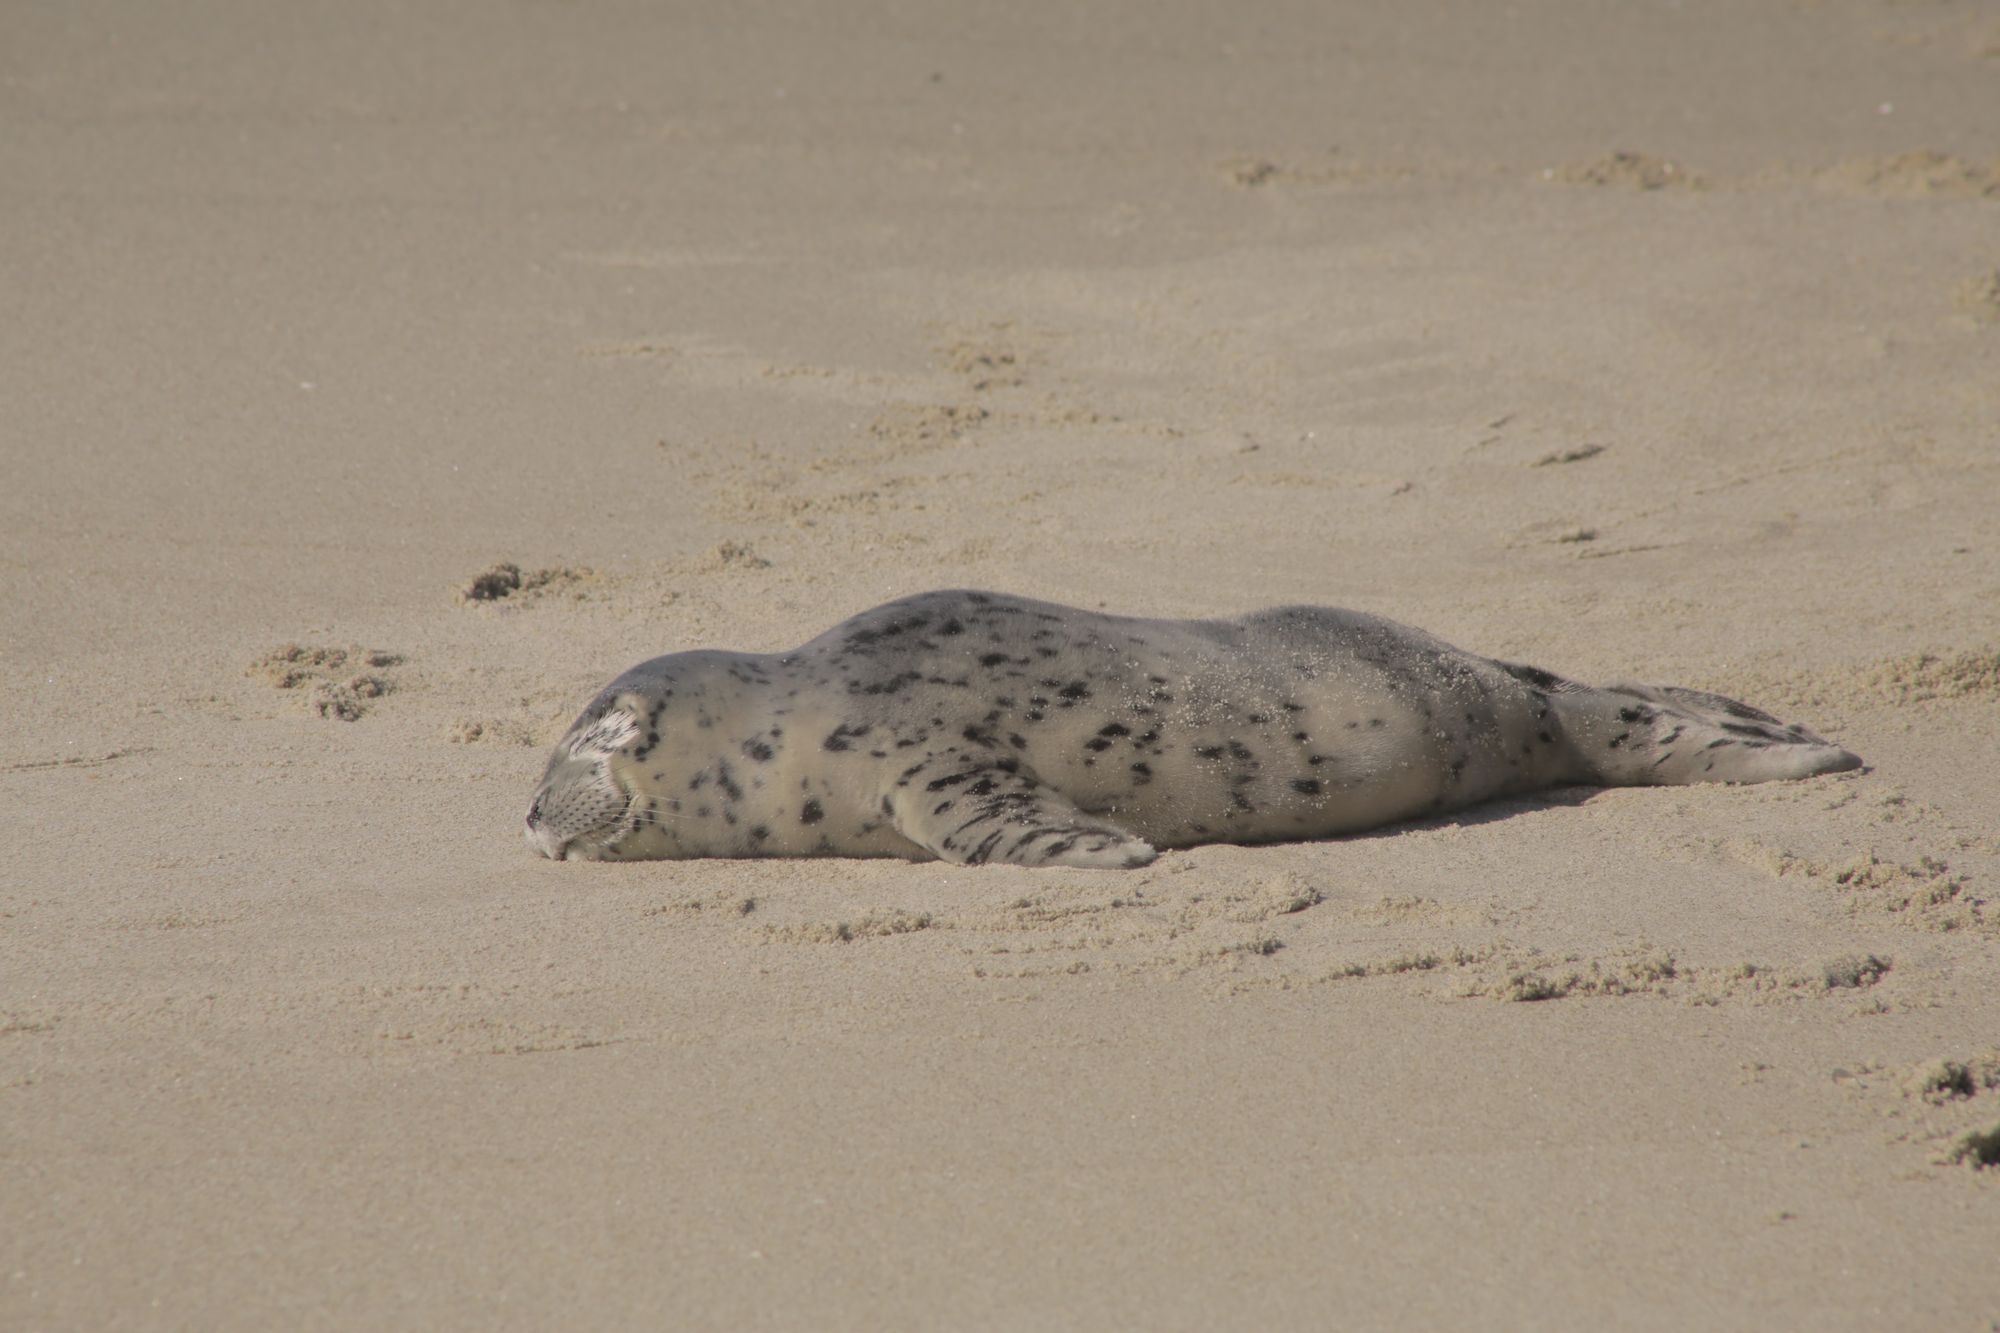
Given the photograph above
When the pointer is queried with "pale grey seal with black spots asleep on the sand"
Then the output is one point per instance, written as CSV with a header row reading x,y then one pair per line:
x,y
979,728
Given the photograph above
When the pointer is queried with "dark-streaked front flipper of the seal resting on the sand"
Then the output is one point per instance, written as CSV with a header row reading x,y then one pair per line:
x,y
975,808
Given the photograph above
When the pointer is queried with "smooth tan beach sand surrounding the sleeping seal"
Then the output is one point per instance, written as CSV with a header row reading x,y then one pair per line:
x,y
1635,341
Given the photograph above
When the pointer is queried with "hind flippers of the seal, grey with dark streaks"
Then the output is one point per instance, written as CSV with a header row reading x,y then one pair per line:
x,y
1631,736
